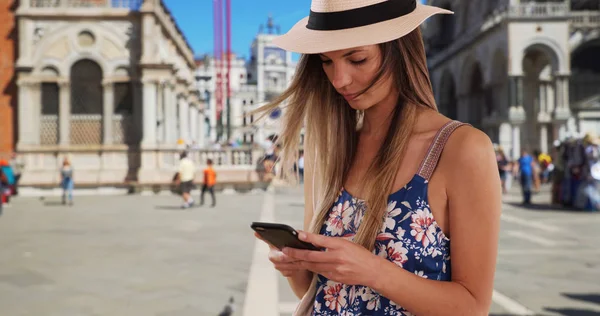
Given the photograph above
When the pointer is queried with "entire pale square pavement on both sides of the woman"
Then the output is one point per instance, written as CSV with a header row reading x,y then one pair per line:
x,y
142,255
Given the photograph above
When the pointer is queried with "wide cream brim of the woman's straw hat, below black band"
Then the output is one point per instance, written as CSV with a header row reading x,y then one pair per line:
x,y
302,40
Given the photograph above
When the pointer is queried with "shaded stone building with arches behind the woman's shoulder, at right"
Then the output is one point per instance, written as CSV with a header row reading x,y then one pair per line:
x,y
525,72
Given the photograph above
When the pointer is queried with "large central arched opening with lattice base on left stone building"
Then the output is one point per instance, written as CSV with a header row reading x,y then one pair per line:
x,y
86,103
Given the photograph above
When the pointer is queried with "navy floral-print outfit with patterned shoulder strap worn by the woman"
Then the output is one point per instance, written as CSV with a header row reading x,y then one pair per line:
x,y
409,237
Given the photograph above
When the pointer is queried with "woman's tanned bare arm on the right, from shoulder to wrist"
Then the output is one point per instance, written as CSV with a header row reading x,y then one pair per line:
x,y
474,199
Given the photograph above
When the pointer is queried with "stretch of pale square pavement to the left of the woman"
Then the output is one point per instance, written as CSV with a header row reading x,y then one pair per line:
x,y
124,255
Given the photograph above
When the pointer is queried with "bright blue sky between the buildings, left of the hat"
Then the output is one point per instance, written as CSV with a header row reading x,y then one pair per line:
x,y
195,19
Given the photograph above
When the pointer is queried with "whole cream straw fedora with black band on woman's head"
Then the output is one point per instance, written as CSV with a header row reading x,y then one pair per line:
x,y
341,24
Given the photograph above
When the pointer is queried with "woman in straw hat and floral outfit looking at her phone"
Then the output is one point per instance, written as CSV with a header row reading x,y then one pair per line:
x,y
388,180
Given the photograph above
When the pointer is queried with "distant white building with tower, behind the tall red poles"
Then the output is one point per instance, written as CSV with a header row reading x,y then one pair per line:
x,y
265,75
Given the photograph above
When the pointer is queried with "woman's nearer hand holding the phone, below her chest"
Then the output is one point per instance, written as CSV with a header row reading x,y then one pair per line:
x,y
343,261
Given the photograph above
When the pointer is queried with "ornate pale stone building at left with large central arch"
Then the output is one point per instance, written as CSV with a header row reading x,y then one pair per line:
x,y
107,83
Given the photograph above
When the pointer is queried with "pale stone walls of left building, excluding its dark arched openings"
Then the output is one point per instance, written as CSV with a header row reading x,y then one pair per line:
x,y
142,48
